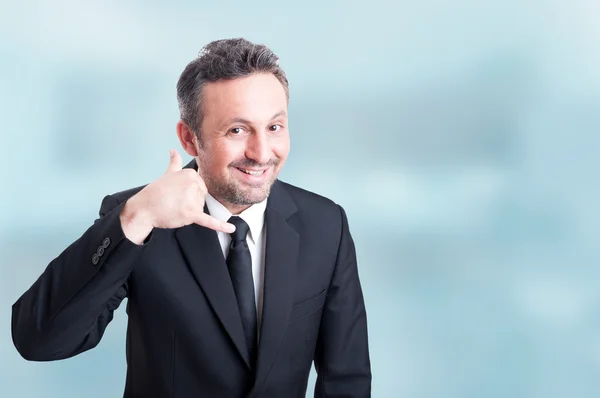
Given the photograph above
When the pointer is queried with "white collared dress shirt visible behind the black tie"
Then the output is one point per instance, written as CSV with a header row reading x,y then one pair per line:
x,y
256,240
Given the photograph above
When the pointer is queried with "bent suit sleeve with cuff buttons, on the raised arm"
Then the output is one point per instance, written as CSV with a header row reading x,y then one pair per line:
x,y
66,311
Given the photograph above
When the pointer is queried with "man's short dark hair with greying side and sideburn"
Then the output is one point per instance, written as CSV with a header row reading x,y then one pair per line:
x,y
222,60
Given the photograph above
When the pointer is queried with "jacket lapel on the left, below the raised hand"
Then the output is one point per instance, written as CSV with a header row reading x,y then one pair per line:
x,y
203,253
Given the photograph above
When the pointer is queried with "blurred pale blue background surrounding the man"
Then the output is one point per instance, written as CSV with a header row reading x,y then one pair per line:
x,y
462,138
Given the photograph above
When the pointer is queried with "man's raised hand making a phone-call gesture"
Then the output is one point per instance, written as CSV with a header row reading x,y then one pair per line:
x,y
174,200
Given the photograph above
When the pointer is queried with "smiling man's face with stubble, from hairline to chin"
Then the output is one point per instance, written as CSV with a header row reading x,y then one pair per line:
x,y
245,138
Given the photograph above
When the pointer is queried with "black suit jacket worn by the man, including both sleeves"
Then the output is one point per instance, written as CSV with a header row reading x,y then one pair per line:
x,y
184,334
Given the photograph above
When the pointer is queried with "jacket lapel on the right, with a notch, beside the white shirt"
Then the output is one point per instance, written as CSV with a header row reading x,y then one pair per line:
x,y
280,267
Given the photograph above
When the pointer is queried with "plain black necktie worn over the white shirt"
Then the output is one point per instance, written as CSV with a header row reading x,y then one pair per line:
x,y
239,262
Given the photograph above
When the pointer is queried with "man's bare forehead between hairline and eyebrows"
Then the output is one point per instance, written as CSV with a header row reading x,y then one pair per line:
x,y
255,97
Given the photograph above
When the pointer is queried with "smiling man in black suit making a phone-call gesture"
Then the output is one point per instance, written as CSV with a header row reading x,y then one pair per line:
x,y
235,280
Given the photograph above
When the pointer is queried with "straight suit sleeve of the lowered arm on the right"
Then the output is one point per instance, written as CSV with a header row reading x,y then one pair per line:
x,y
342,354
